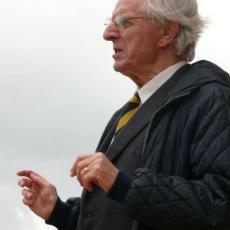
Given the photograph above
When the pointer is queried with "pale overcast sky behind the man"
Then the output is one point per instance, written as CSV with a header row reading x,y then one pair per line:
x,y
58,89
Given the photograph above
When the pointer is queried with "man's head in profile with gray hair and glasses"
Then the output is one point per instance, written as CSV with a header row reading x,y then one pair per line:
x,y
150,35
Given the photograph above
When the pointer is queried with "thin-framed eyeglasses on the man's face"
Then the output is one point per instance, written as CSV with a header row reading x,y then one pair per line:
x,y
121,22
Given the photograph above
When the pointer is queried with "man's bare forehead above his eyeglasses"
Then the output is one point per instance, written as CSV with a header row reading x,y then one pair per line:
x,y
127,6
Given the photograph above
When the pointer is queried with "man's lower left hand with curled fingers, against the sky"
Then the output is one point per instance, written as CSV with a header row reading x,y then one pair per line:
x,y
38,194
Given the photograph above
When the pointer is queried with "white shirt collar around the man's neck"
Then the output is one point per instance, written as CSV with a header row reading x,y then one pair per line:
x,y
154,84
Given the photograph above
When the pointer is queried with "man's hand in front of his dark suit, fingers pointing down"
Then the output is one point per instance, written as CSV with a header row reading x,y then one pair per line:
x,y
94,168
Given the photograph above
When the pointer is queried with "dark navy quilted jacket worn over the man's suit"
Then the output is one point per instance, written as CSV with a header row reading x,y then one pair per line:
x,y
185,180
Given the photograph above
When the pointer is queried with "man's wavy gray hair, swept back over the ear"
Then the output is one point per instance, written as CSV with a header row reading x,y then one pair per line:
x,y
185,12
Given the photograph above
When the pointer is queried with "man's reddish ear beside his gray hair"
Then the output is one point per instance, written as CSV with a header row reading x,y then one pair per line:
x,y
170,32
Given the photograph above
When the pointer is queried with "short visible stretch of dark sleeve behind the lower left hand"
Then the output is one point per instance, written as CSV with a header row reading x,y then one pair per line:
x,y
65,214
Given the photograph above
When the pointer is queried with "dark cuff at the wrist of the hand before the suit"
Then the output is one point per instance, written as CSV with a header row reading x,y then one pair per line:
x,y
120,188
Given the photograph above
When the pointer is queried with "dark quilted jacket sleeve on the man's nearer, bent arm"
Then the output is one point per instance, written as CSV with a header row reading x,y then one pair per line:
x,y
171,202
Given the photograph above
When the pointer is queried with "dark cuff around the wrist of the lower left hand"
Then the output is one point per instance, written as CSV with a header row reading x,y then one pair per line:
x,y
59,214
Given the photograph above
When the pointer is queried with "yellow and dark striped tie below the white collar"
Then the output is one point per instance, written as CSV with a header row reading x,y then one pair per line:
x,y
132,107
